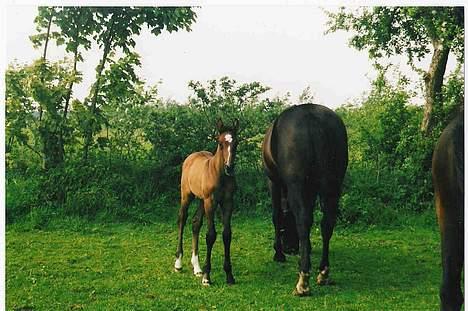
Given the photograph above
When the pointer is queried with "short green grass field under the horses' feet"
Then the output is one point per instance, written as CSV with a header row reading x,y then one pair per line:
x,y
130,267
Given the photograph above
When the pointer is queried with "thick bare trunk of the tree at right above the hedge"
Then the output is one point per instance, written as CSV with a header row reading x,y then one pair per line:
x,y
433,81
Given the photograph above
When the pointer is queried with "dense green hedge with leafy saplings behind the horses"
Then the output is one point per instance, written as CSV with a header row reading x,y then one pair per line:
x,y
118,154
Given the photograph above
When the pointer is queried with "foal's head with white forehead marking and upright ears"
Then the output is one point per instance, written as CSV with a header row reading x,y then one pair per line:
x,y
227,142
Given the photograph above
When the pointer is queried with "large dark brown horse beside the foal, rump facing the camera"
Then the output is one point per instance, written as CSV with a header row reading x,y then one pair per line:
x,y
305,154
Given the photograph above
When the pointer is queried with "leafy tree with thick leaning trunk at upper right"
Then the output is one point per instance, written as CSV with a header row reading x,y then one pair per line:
x,y
414,31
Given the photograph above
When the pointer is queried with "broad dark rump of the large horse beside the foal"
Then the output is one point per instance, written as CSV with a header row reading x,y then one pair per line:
x,y
310,142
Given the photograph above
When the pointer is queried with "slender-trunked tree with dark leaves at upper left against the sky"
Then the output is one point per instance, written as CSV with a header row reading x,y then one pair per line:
x,y
113,29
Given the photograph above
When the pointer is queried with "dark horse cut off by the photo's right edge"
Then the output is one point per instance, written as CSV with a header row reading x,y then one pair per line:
x,y
448,180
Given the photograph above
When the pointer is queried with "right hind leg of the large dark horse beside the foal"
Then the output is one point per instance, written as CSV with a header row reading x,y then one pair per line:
x,y
330,209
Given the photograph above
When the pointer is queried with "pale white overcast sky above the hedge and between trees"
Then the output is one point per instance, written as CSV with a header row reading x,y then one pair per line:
x,y
283,47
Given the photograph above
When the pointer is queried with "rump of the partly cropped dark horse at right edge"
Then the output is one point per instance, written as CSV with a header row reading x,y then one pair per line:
x,y
448,168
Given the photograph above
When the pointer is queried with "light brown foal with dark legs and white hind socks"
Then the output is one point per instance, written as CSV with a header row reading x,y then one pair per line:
x,y
209,178
